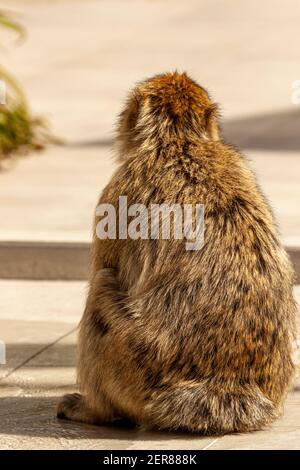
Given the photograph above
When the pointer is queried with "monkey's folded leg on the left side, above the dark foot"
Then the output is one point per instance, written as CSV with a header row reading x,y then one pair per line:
x,y
106,361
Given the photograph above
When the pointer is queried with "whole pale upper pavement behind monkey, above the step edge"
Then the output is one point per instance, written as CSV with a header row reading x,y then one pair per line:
x,y
79,60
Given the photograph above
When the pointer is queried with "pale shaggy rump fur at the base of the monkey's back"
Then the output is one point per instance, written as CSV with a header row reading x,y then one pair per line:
x,y
208,408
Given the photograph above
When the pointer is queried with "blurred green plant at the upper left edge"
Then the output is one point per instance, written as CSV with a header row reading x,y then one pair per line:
x,y
20,132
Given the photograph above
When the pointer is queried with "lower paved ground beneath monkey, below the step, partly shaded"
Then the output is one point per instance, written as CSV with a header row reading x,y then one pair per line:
x,y
37,323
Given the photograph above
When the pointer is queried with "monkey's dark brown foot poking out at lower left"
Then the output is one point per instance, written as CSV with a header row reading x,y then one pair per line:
x,y
74,407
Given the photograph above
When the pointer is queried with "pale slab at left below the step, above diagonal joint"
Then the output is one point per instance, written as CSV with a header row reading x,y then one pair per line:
x,y
34,316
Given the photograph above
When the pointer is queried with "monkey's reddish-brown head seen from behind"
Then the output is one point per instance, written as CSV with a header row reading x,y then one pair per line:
x,y
166,109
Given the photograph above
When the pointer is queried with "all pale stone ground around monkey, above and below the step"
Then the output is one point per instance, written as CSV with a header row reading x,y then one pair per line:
x,y
78,62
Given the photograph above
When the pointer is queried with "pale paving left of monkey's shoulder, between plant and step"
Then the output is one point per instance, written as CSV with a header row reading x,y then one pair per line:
x,y
52,196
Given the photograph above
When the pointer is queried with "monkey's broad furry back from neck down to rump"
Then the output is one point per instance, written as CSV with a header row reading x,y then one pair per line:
x,y
224,313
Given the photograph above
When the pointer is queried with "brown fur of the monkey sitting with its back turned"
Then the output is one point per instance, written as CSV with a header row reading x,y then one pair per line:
x,y
176,339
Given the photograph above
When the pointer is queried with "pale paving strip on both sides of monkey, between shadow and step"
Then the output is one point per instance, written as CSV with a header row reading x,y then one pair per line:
x,y
52,196
